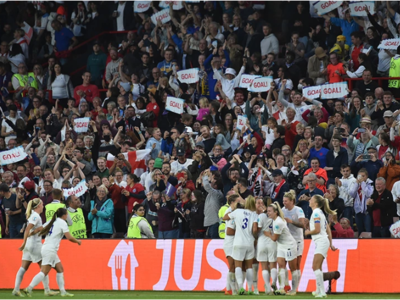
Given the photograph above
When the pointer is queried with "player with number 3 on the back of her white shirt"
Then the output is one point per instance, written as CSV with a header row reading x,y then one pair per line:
x,y
243,244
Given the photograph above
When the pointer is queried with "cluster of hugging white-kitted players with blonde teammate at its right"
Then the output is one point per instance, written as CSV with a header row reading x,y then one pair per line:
x,y
258,231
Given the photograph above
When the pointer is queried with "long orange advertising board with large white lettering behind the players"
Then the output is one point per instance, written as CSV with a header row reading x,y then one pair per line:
x,y
366,266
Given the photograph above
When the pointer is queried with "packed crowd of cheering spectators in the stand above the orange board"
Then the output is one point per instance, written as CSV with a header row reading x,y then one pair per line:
x,y
345,149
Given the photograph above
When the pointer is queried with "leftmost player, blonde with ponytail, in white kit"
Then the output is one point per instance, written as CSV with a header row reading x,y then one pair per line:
x,y
32,246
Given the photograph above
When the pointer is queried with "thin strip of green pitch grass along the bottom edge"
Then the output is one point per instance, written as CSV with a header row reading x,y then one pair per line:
x,y
38,294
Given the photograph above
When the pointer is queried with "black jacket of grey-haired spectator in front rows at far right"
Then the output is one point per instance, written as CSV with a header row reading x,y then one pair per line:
x,y
386,205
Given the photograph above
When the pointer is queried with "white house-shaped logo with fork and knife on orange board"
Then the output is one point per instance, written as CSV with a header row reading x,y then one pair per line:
x,y
123,264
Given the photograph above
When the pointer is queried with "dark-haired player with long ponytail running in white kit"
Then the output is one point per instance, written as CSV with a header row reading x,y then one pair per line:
x,y
54,231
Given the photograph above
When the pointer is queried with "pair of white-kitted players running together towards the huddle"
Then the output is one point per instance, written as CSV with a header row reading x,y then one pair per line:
x,y
45,255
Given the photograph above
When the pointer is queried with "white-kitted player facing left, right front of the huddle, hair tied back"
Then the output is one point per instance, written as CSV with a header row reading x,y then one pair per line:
x,y
286,248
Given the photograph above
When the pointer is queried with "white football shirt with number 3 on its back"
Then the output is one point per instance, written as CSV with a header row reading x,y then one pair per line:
x,y
244,220
